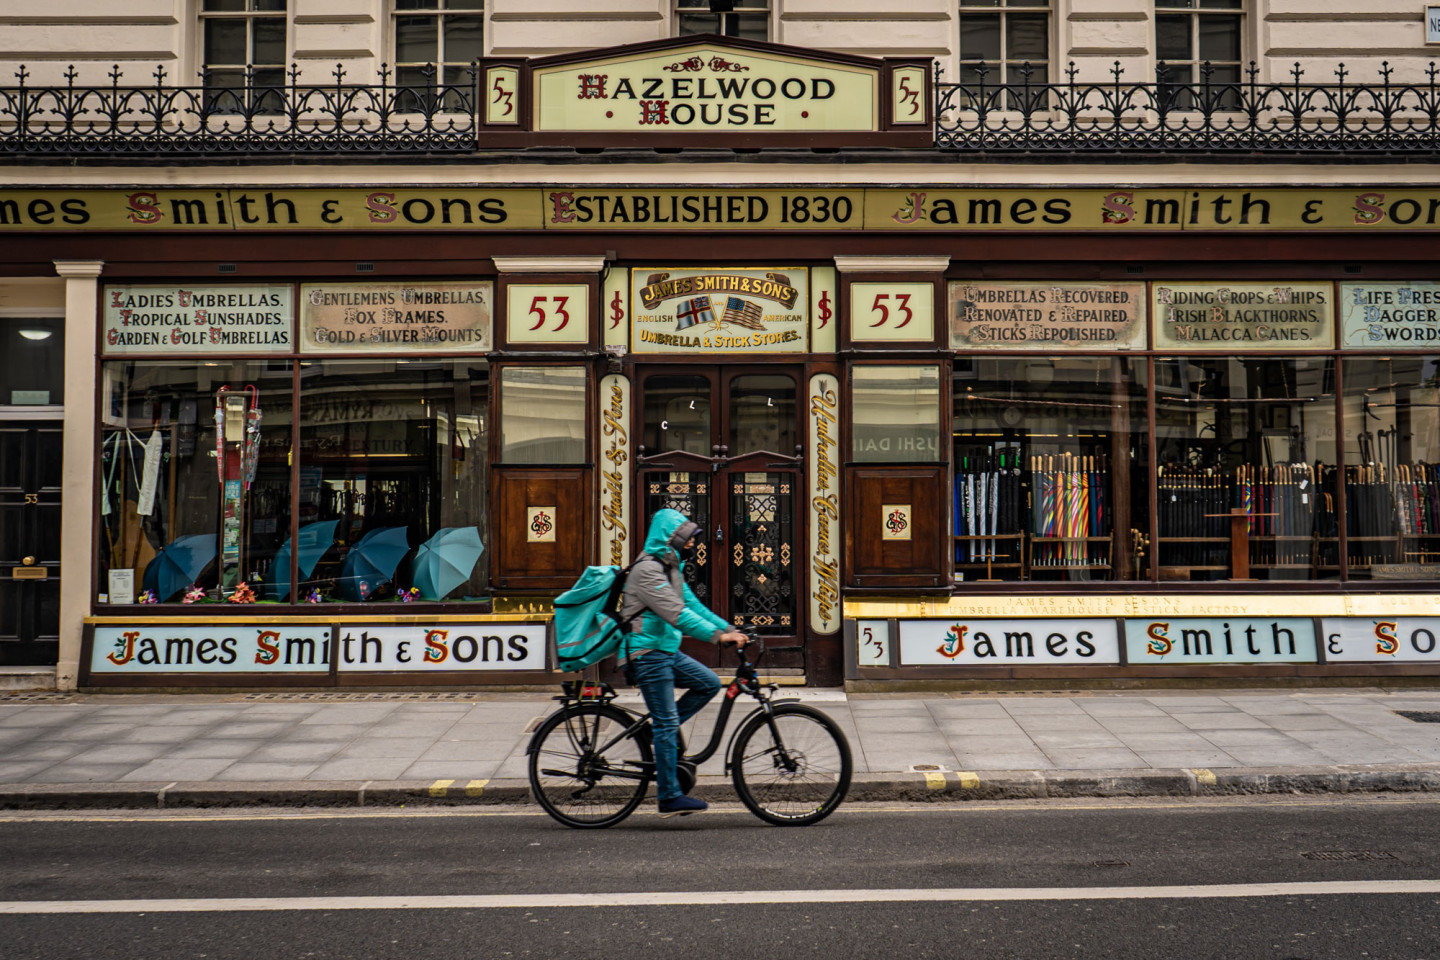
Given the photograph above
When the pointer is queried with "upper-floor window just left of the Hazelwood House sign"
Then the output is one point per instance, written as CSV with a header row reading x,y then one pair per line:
x,y
437,44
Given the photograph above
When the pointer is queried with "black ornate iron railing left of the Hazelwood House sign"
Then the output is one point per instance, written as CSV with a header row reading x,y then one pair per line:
x,y
243,119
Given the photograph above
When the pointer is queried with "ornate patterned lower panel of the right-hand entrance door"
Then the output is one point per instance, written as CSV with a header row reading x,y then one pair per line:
x,y
762,556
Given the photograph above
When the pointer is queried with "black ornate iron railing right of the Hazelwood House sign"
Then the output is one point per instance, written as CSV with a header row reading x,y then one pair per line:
x,y
1187,113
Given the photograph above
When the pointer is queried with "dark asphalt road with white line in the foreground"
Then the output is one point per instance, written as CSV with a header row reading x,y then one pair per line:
x,y
1241,879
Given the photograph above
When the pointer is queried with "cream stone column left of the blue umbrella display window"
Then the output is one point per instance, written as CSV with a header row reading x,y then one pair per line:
x,y
78,480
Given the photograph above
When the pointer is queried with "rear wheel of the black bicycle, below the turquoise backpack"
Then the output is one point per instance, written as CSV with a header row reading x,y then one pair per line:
x,y
577,778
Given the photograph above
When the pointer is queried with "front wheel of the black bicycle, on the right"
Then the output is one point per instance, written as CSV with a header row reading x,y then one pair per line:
x,y
791,768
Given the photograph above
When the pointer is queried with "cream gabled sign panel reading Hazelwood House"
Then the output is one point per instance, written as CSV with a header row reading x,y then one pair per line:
x,y
706,89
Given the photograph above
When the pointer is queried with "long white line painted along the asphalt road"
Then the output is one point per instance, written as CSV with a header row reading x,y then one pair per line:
x,y
709,899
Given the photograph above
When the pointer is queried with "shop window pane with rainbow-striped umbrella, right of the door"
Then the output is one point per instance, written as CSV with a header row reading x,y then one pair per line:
x,y
1050,468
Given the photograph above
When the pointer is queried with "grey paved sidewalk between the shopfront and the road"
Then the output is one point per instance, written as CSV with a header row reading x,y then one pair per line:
x,y
339,749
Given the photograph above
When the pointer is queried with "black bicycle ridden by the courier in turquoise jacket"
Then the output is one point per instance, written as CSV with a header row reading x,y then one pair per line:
x,y
593,761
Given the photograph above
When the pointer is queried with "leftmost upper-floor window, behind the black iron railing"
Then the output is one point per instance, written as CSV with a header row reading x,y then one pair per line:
x,y
243,55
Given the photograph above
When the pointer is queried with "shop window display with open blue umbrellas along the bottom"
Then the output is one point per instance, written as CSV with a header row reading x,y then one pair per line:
x,y
198,496
